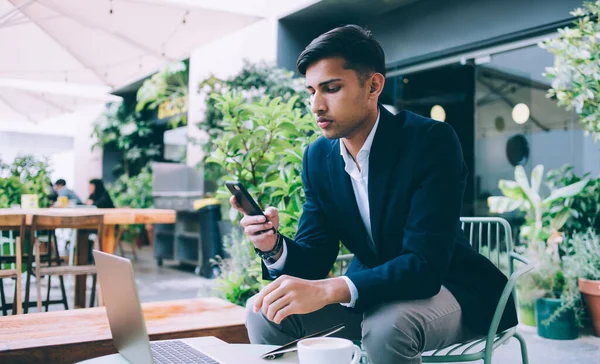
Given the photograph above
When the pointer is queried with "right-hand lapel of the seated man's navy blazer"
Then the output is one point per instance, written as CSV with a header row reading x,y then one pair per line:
x,y
382,161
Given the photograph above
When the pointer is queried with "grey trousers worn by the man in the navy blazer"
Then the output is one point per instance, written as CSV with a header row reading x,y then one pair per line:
x,y
395,332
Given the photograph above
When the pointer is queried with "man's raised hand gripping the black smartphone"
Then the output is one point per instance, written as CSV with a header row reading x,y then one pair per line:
x,y
262,232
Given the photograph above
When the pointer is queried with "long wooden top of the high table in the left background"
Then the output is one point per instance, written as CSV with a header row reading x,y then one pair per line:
x,y
119,216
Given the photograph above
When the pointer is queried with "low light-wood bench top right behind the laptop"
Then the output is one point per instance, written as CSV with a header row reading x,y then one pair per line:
x,y
90,325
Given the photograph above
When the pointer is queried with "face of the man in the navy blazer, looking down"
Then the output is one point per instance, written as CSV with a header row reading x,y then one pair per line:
x,y
338,100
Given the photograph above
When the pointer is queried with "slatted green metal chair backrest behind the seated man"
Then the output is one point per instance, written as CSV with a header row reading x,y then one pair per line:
x,y
492,238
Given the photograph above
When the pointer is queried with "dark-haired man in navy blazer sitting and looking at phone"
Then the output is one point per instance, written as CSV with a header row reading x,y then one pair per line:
x,y
390,187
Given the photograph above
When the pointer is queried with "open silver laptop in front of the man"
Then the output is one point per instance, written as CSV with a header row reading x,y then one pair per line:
x,y
126,320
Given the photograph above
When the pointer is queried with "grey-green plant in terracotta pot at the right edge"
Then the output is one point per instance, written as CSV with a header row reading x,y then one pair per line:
x,y
583,265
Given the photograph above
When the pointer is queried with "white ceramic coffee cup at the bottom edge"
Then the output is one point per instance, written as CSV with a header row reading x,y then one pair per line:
x,y
328,350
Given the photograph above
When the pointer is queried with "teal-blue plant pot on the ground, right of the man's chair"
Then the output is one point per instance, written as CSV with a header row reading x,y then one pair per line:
x,y
564,327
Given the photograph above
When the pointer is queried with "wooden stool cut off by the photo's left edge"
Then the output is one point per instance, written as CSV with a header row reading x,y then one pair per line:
x,y
13,222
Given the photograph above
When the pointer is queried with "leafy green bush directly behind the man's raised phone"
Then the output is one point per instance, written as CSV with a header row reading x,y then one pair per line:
x,y
262,147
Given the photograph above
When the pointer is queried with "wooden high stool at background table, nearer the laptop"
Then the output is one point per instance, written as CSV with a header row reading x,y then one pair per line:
x,y
48,222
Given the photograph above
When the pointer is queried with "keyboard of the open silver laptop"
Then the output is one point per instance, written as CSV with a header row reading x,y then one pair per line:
x,y
167,352
